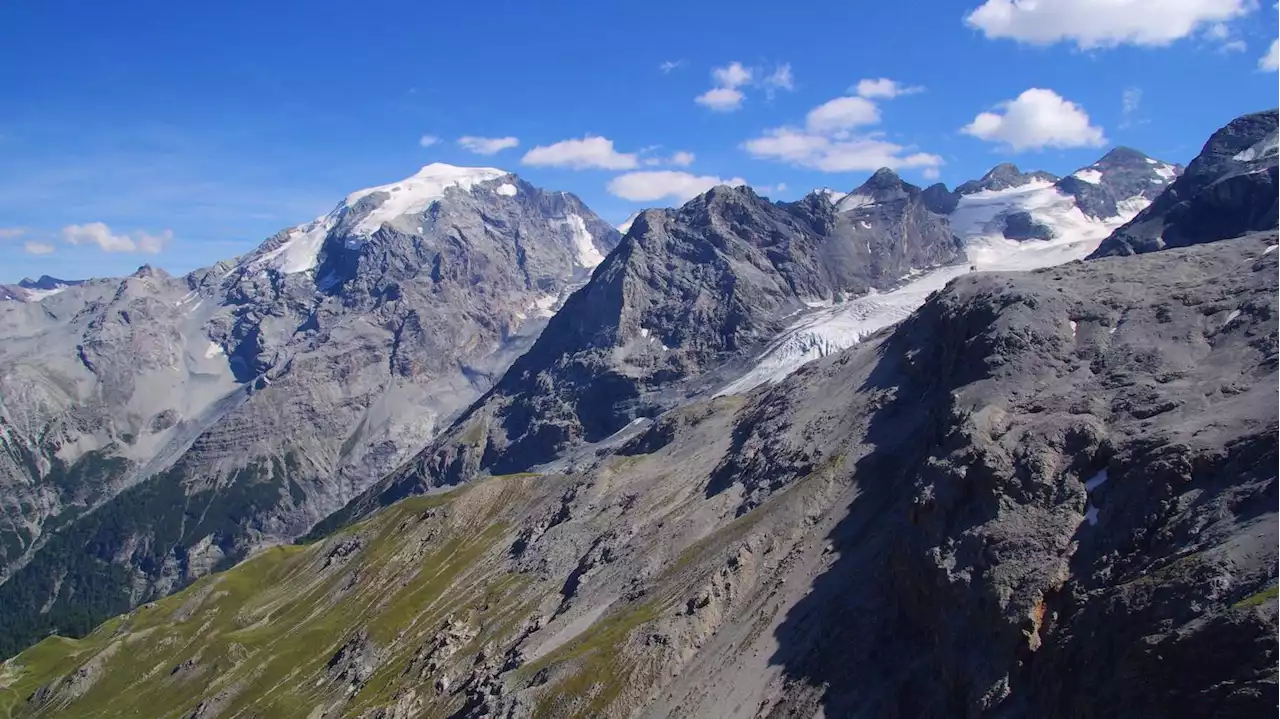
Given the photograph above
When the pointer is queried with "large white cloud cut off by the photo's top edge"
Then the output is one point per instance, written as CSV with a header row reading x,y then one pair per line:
x,y
1101,24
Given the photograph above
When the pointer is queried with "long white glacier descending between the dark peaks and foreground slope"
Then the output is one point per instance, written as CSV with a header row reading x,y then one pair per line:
x,y
979,222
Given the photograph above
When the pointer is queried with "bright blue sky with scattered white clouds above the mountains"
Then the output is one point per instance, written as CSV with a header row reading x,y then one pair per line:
x,y
179,134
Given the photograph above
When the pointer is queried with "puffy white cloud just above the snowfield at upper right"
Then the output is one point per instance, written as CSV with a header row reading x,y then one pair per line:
x,y
1037,120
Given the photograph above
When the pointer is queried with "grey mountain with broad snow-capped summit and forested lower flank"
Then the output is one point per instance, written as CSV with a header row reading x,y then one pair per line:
x,y
205,416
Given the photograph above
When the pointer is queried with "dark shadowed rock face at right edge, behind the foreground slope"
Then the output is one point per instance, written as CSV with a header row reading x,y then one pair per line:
x,y
1227,191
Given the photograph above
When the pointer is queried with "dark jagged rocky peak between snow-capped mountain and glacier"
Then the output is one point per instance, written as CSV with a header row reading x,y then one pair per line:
x,y
687,295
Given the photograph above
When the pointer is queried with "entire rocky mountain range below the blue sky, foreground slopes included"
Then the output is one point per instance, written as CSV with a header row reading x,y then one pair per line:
x,y
897,452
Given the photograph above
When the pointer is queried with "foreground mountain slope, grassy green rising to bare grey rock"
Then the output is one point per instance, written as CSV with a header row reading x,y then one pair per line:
x,y
1036,489
